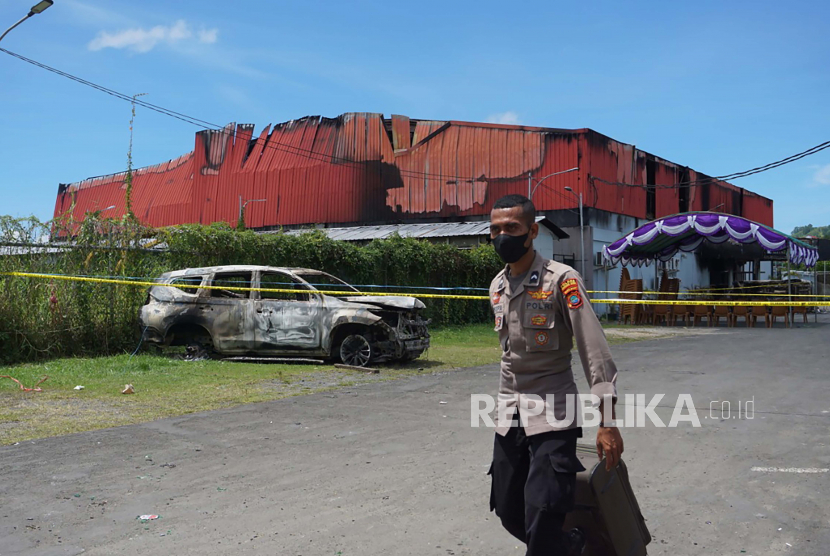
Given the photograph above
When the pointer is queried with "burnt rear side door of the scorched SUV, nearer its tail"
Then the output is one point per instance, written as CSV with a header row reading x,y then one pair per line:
x,y
229,311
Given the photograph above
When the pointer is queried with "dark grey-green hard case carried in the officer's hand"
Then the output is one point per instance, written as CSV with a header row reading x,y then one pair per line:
x,y
606,509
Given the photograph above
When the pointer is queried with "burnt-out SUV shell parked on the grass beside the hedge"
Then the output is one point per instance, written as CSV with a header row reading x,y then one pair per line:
x,y
209,308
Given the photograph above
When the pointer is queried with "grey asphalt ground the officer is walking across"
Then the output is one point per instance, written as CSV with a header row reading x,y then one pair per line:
x,y
394,467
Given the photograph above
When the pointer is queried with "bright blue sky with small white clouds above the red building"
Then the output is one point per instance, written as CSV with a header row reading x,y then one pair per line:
x,y
718,86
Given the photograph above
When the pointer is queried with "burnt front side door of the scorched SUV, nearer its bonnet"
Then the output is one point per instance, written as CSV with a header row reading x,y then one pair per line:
x,y
287,320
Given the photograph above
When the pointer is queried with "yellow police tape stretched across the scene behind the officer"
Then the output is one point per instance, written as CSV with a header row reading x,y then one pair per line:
x,y
614,301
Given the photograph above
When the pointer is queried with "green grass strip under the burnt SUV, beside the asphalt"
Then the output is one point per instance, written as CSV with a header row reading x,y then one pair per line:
x,y
167,387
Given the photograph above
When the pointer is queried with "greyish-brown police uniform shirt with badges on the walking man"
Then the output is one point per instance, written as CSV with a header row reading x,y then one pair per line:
x,y
538,319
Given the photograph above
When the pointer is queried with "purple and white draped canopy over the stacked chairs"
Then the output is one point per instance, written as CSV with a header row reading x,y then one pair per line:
x,y
662,239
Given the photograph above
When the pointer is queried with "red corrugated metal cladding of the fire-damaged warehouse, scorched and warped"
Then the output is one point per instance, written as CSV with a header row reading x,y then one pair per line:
x,y
359,167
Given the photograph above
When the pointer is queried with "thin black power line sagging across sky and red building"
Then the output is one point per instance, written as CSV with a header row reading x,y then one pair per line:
x,y
331,159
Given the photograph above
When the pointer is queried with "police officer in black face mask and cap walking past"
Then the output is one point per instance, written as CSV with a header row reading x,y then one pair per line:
x,y
540,307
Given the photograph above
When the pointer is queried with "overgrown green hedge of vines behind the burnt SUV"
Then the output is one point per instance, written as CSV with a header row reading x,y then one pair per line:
x,y
45,318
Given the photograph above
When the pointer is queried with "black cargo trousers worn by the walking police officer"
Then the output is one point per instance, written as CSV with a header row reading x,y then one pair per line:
x,y
533,481
